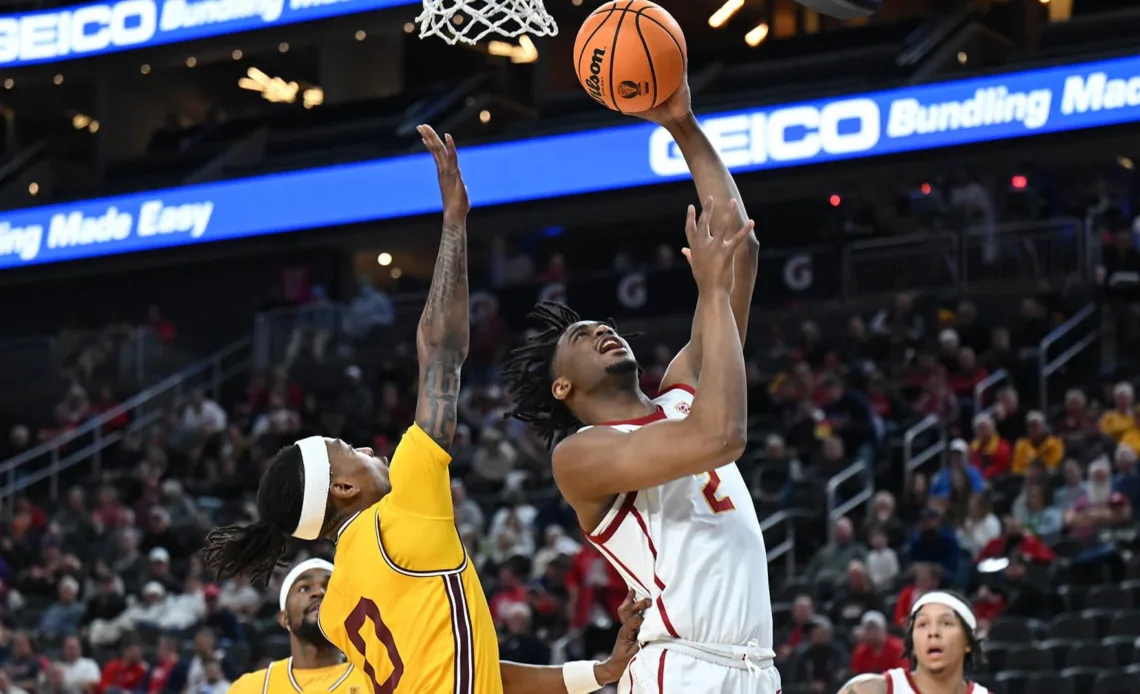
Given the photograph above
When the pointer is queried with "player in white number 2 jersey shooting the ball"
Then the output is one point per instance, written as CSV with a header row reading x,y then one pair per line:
x,y
654,483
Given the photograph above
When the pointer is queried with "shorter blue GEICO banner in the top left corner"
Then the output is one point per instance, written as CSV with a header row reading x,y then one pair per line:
x,y
100,28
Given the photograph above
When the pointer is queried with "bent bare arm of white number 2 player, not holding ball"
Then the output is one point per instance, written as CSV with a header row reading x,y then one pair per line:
x,y
602,462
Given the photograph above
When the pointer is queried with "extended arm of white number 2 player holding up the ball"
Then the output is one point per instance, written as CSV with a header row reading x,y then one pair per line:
x,y
714,181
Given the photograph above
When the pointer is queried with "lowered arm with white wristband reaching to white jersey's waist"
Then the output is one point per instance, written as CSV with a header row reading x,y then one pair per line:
x,y
573,677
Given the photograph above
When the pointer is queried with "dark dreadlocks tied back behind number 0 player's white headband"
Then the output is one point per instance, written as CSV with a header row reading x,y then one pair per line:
x,y
257,549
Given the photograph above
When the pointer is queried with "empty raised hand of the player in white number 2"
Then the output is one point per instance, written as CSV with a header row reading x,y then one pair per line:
x,y
713,241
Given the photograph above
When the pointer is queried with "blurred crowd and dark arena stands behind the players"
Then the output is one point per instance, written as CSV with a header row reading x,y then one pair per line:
x,y
940,369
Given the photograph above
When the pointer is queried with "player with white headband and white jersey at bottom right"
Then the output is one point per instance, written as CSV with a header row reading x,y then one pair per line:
x,y
941,643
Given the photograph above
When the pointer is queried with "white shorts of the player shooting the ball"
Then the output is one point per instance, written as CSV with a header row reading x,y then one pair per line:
x,y
659,671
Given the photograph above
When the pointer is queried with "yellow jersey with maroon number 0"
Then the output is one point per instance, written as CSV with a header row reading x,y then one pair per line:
x,y
404,602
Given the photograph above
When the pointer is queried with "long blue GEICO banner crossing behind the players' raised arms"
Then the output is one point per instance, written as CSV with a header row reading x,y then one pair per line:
x,y
902,120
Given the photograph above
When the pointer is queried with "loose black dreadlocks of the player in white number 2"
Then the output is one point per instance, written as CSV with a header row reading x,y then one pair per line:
x,y
528,372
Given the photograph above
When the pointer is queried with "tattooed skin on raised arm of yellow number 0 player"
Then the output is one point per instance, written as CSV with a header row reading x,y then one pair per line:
x,y
445,334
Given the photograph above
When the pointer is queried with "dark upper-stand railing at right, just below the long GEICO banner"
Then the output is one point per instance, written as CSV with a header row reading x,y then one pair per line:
x,y
1055,249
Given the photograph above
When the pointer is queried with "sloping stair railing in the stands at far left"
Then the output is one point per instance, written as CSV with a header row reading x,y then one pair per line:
x,y
47,461
